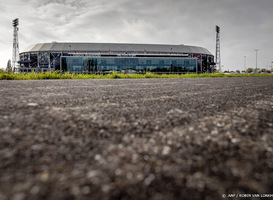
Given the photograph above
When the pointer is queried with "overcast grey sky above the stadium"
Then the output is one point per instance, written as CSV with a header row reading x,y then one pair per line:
x,y
245,25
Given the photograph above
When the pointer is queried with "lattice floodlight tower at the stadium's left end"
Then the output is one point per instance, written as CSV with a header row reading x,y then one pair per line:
x,y
15,50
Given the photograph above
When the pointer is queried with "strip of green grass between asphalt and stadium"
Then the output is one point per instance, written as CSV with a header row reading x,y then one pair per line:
x,y
114,75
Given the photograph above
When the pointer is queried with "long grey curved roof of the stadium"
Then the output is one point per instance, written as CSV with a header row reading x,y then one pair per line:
x,y
115,47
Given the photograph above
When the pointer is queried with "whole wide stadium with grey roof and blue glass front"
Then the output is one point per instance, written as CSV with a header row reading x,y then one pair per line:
x,y
120,57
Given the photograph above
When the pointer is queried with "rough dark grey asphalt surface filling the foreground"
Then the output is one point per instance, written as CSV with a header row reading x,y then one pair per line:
x,y
136,139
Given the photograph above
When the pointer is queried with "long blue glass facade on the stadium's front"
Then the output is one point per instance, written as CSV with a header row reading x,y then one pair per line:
x,y
128,64
